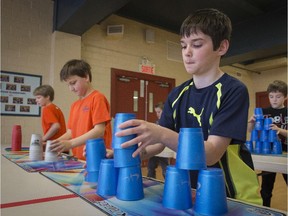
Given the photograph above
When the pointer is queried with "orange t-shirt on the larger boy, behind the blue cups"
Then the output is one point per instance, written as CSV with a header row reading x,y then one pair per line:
x,y
85,114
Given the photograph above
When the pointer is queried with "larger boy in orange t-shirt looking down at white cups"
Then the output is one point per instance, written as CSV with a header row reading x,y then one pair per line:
x,y
89,116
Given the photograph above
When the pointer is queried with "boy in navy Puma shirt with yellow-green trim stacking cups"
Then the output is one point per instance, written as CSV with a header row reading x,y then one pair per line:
x,y
211,100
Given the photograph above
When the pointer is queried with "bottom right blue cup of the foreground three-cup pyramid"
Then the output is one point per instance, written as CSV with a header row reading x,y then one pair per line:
x,y
211,193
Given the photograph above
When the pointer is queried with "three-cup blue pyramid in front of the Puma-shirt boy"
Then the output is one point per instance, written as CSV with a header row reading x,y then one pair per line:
x,y
210,187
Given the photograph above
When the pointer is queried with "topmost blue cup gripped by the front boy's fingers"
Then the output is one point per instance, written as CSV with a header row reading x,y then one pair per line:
x,y
120,118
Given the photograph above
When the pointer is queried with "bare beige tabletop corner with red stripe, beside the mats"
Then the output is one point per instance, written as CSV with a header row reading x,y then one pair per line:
x,y
31,194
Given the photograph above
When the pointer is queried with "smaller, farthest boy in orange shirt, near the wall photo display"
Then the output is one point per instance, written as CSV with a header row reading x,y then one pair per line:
x,y
53,121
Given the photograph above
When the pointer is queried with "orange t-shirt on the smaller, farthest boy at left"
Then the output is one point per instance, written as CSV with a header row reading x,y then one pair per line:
x,y
53,114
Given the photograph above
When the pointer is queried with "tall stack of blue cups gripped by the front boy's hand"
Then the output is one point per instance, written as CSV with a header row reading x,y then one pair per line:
x,y
129,183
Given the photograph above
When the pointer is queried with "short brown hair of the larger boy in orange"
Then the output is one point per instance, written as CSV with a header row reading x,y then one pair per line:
x,y
75,67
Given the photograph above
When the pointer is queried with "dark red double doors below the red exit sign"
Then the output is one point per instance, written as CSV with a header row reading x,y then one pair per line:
x,y
138,93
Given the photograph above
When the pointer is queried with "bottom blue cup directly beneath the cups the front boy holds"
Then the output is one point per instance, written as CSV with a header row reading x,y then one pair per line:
x,y
130,185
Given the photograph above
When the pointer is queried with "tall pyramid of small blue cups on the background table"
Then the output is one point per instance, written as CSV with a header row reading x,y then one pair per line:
x,y
263,140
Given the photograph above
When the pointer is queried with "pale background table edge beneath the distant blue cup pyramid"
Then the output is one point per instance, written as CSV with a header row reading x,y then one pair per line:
x,y
270,163
